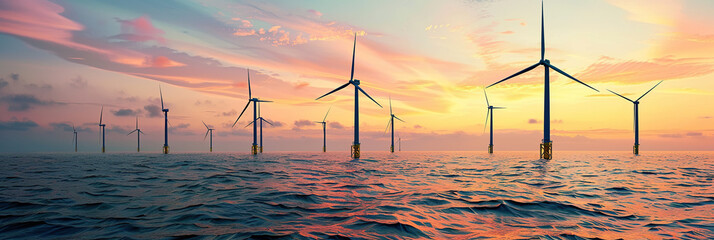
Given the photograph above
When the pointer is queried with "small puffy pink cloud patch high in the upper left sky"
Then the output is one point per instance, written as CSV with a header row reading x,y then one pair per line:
x,y
140,30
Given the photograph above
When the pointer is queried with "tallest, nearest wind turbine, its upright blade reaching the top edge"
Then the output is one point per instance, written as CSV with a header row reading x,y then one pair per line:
x,y
546,147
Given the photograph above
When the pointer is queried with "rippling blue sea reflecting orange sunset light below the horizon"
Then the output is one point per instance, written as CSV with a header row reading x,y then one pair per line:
x,y
307,195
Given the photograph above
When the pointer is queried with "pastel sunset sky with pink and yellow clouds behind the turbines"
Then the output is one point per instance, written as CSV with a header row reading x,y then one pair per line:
x,y
61,61
